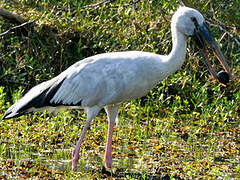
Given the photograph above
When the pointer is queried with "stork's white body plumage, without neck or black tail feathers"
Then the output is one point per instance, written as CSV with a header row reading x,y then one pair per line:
x,y
111,78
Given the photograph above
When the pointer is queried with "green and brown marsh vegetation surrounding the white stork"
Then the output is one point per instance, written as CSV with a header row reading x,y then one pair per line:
x,y
186,127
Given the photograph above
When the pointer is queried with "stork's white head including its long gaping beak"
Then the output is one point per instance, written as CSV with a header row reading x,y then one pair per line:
x,y
190,22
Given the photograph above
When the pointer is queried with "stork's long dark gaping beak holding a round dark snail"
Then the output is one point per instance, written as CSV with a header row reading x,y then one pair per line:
x,y
202,35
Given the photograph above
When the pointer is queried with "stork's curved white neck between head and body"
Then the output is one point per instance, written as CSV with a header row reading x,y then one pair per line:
x,y
177,55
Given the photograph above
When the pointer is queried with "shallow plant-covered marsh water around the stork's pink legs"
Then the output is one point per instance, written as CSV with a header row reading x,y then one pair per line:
x,y
42,149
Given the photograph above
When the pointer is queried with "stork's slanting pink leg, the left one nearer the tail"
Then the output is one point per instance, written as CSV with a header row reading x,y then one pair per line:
x,y
91,113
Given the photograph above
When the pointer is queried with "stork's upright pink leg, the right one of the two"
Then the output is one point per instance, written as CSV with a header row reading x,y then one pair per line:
x,y
112,112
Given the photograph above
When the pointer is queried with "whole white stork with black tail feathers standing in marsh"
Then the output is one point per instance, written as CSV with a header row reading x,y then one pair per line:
x,y
106,80
